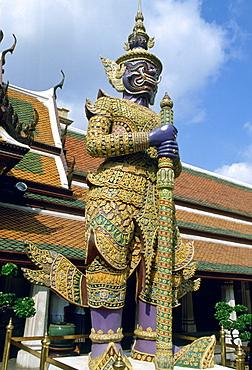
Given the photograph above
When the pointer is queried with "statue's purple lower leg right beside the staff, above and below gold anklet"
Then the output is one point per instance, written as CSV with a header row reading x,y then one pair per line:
x,y
146,318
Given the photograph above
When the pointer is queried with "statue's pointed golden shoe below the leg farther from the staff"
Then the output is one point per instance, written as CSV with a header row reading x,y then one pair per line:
x,y
108,358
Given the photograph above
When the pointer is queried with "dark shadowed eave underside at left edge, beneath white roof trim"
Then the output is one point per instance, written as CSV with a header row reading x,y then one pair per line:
x,y
10,156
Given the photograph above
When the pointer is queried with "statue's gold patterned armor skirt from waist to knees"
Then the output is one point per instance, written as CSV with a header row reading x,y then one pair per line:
x,y
121,235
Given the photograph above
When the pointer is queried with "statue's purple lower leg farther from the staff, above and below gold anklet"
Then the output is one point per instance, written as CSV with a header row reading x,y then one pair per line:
x,y
104,319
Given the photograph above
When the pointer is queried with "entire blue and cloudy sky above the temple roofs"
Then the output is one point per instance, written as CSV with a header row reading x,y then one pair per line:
x,y
205,47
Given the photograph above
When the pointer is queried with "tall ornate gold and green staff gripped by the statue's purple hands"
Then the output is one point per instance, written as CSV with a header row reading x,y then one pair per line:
x,y
165,185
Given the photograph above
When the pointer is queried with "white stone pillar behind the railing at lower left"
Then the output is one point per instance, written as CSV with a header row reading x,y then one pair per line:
x,y
35,326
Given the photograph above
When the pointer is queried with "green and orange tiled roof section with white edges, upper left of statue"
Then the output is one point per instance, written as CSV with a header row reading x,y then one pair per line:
x,y
44,163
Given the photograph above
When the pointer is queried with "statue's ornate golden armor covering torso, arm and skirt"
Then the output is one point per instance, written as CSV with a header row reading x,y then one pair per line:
x,y
121,208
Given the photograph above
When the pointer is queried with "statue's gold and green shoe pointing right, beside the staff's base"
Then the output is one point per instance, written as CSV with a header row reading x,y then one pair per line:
x,y
197,355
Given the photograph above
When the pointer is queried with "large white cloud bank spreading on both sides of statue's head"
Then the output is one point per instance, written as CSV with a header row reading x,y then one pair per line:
x,y
70,35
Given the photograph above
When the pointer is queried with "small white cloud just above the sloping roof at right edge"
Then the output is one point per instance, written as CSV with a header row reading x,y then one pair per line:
x,y
240,171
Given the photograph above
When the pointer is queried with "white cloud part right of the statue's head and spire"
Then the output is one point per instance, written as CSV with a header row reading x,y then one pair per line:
x,y
193,52
